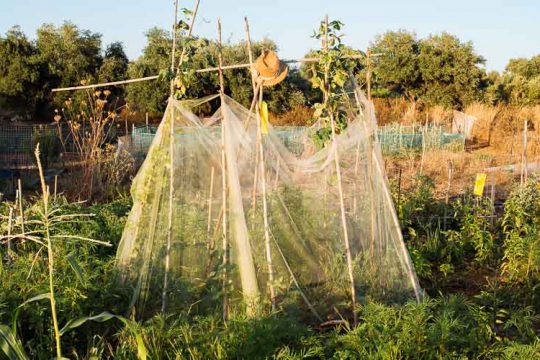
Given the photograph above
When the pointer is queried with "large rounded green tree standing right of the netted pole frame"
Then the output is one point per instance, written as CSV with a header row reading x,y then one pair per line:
x,y
439,69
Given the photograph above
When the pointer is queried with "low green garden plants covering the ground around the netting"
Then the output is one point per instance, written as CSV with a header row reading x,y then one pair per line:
x,y
482,281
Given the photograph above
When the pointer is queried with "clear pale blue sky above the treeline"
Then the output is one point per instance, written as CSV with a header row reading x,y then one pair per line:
x,y
499,29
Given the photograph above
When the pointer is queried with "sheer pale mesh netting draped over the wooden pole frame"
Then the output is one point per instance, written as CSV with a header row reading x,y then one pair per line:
x,y
282,234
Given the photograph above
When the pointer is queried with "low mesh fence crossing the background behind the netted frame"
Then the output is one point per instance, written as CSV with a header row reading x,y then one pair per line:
x,y
18,141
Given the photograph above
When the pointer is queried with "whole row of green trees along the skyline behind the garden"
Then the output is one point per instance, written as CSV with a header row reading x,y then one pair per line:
x,y
439,69
